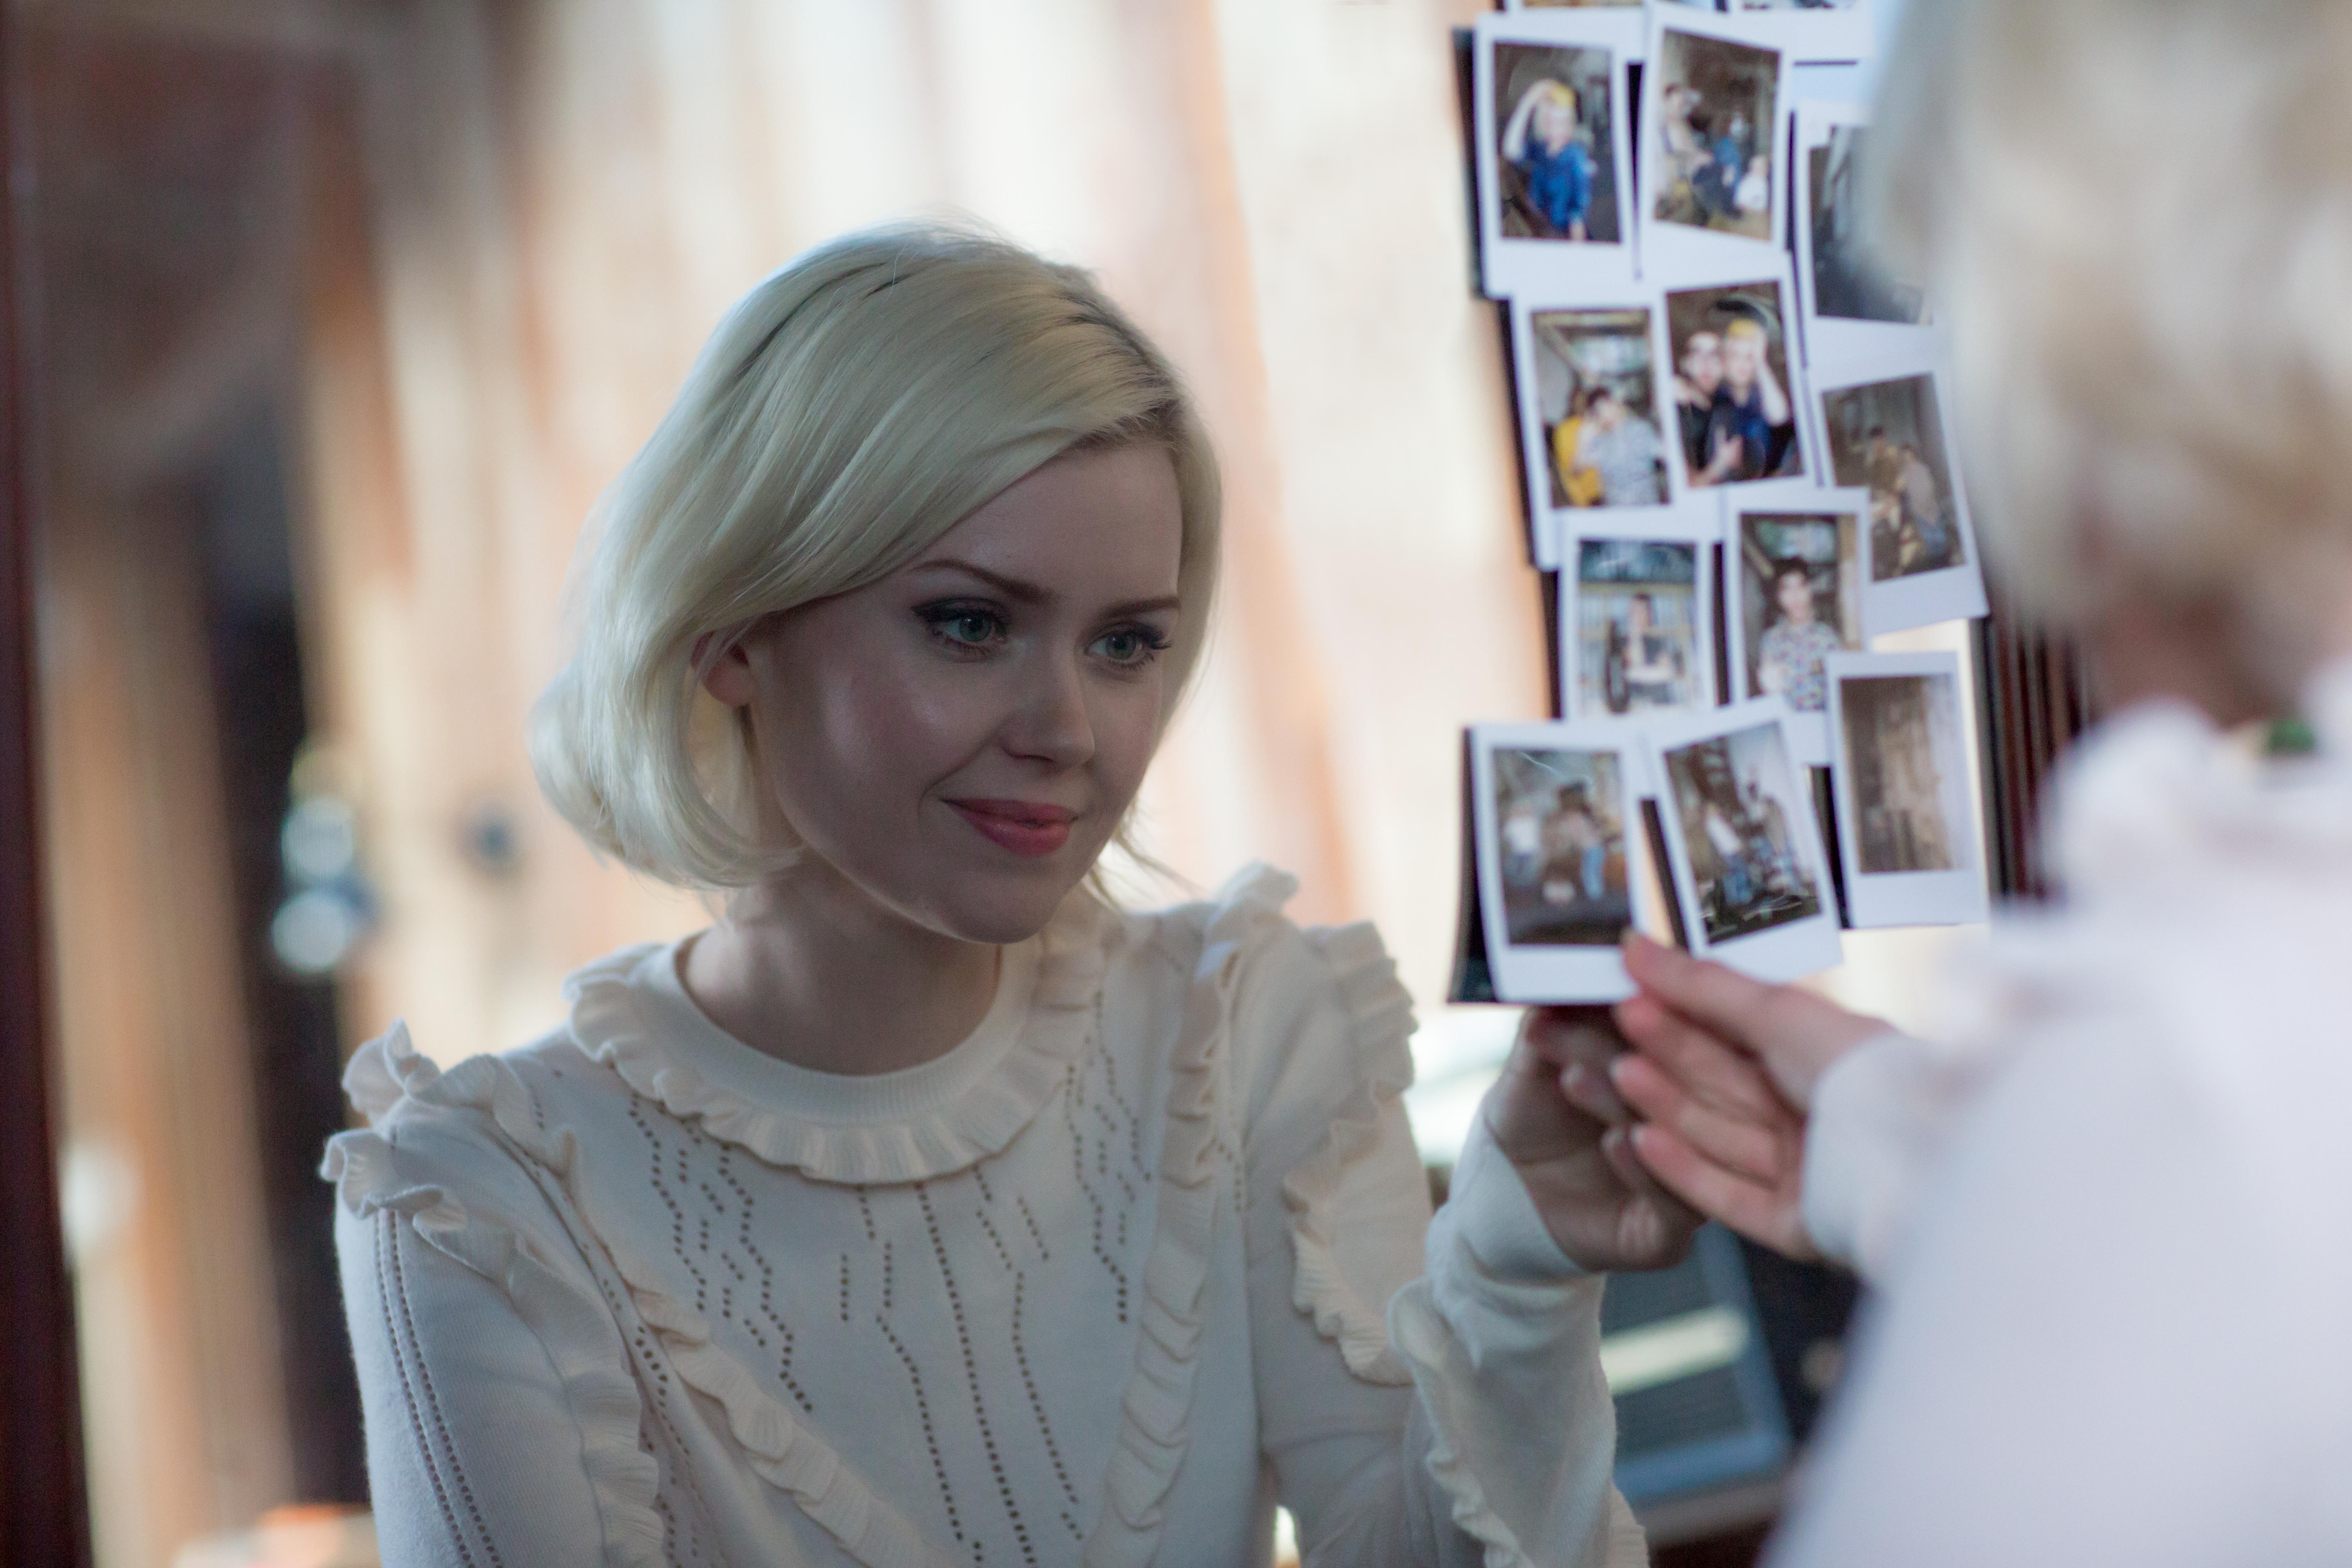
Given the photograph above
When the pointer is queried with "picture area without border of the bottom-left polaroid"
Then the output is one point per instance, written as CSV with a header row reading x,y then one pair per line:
x,y
1561,819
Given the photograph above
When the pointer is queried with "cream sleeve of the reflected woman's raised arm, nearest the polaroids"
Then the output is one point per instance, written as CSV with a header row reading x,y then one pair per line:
x,y
1483,1430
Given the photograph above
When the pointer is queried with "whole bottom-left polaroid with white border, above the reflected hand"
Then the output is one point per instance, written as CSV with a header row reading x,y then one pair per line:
x,y
1556,831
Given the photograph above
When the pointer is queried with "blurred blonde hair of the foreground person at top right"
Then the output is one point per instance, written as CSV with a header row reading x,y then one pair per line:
x,y
2139,220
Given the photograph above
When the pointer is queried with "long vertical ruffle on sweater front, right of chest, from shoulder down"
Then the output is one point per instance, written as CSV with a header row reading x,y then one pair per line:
x,y
1158,1407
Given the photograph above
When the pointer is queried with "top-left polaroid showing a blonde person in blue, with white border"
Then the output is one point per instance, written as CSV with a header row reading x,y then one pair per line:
x,y
1553,156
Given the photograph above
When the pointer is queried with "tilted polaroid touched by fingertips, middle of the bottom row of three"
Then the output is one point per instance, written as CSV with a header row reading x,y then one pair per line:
x,y
1742,843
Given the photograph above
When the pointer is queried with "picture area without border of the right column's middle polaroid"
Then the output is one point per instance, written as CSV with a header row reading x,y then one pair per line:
x,y
1887,436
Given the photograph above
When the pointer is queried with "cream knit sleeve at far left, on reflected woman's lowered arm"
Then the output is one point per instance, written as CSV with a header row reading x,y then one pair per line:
x,y
490,1376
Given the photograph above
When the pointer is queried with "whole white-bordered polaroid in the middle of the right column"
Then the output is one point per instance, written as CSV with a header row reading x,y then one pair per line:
x,y
1885,427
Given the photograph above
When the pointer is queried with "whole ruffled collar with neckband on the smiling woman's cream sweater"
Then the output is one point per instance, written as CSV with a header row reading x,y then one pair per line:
x,y
632,1014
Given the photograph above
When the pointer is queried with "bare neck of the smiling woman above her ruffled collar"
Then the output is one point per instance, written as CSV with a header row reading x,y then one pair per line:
x,y
820,974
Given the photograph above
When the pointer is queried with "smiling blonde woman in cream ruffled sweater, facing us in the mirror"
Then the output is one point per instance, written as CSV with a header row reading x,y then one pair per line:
x,y
928,1207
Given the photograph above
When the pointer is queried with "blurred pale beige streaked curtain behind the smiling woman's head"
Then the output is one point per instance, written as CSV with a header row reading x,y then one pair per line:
x,y
570,194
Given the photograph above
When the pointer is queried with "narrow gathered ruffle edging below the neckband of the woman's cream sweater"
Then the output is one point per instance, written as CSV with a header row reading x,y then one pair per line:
x,y
610,1028
